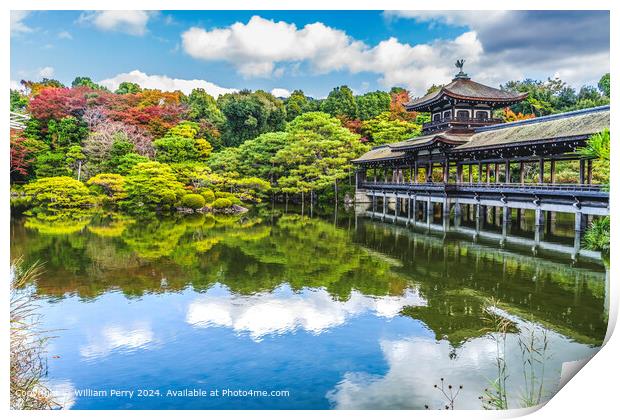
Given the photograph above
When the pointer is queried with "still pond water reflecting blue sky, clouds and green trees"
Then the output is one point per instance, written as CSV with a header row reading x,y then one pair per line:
x,y
316,312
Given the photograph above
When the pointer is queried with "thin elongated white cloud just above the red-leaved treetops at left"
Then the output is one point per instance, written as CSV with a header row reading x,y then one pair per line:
x,y
165,83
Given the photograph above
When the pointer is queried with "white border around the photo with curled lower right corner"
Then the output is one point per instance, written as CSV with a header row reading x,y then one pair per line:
x,y
592,394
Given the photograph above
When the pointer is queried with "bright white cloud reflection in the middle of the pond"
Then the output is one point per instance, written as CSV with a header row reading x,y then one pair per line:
x,y
313,310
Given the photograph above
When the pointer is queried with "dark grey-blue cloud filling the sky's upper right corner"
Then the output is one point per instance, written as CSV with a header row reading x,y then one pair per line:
x,y
574,45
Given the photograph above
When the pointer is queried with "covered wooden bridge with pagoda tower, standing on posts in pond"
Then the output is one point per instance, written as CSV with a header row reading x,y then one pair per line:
x,y
473,162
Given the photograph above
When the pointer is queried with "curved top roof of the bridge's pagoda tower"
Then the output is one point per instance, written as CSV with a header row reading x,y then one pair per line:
x,y
465,89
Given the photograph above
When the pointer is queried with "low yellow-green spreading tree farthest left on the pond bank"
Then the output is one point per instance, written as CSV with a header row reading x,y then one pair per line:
x,y
58,192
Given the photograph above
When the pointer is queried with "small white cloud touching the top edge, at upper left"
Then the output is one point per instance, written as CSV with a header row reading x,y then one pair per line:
x,y
132,22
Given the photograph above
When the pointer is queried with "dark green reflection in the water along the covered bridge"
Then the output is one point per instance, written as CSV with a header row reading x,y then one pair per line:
x,y
457,277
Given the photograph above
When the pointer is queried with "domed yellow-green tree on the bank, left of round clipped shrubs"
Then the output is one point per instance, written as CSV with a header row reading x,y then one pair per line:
x,y
152,185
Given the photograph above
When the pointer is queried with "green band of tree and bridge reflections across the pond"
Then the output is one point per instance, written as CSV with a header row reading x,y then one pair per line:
x,y
250,255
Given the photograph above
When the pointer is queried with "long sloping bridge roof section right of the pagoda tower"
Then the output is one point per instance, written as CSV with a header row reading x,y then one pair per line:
x,y
582,123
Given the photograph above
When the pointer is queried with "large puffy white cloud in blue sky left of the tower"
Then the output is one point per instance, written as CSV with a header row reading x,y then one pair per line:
x,y
257,47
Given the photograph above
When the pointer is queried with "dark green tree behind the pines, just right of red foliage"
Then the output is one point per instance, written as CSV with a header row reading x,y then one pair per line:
x,y
249,114
